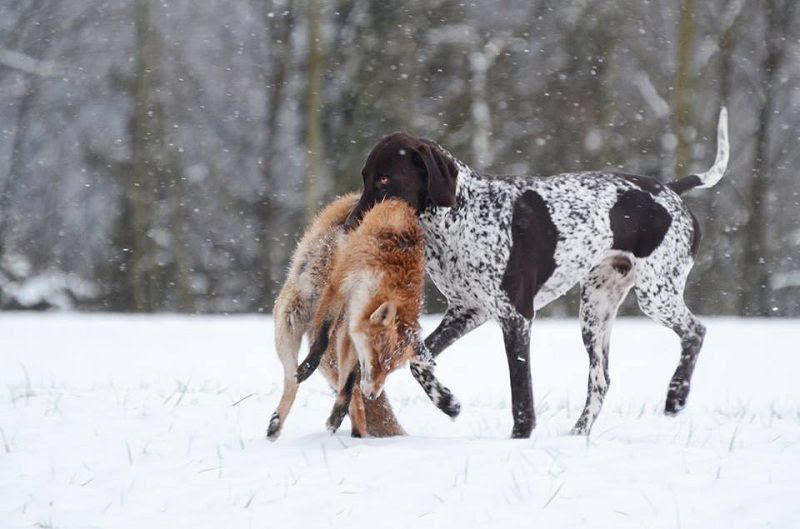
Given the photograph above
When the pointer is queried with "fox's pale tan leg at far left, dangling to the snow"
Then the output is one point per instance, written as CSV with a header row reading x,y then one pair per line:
x,y
288,336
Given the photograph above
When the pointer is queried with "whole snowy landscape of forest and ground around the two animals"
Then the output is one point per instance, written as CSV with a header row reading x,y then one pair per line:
x,y
164,157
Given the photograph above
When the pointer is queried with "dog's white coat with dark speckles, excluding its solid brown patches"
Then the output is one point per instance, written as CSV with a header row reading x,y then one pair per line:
x,y
468,249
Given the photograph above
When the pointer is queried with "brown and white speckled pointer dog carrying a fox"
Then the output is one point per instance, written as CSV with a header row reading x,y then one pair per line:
x,y
504,247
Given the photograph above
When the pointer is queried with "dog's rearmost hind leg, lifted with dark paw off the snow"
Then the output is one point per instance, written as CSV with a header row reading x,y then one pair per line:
x,y
660,297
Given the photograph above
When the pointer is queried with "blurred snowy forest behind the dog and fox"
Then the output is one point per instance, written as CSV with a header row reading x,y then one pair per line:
x,y
165,156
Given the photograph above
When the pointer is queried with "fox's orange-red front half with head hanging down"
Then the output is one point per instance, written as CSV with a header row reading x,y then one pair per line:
x,y
371,306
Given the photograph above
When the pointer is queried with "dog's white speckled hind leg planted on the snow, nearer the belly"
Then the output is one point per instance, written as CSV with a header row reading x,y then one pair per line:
x,y
602,292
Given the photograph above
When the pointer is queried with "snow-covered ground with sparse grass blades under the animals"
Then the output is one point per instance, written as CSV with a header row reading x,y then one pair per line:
x,y
116,422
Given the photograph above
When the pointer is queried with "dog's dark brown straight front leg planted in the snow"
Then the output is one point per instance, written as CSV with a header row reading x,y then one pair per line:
x,y
516,335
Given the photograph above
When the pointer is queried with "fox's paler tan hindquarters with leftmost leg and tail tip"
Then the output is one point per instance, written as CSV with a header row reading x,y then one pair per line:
x,y
294,310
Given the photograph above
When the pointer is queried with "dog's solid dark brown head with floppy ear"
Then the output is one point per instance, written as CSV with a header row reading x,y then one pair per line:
x,y
411,169
